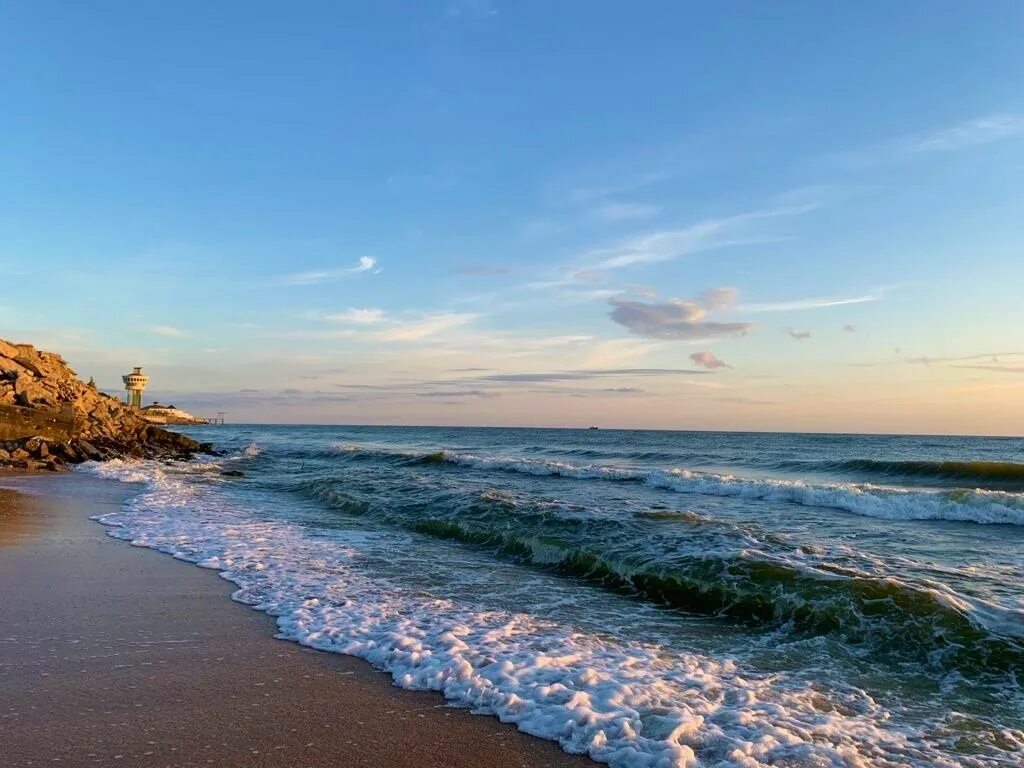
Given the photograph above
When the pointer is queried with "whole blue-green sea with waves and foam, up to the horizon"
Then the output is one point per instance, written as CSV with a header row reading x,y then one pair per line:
x,y
648,599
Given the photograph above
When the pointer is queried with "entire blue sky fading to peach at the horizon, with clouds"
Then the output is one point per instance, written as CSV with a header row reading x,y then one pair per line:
x,y
799,217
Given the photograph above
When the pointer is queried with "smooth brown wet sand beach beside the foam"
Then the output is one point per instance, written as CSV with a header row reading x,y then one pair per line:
x,y
115,656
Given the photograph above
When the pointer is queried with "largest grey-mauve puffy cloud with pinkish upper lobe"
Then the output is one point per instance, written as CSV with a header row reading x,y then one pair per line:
x,y
679,319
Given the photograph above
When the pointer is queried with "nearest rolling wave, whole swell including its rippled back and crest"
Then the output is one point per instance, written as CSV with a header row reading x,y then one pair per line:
x,y
718,569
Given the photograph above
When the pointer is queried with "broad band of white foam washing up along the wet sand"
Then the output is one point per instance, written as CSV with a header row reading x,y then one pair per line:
x,y
625,704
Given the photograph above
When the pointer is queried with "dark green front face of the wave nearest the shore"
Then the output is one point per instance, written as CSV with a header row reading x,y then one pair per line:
x,y
892,616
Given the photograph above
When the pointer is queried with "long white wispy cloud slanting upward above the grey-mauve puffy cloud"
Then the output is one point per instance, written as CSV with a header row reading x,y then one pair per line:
x,y
667,245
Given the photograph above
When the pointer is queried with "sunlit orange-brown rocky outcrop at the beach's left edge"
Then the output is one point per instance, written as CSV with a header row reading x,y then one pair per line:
x,y
50,419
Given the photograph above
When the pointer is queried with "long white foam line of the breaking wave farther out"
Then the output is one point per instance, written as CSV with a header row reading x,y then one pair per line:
x,y
863,499
